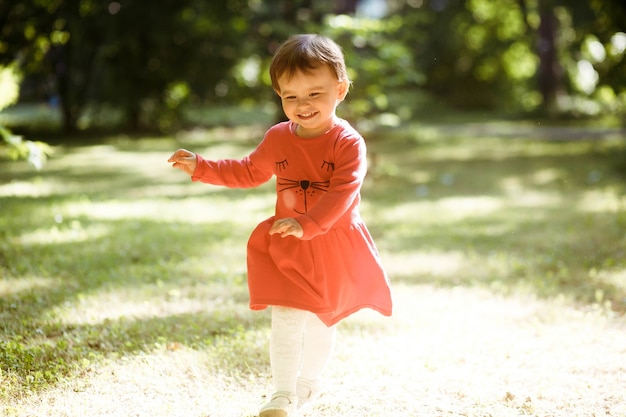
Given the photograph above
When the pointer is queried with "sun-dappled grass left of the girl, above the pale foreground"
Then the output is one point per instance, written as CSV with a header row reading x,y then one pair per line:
x,y
124,265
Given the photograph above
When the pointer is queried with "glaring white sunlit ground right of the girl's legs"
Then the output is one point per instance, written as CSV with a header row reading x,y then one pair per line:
x,y
465,352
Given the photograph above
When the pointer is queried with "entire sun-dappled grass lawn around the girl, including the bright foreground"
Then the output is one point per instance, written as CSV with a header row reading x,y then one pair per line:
x,y
123,288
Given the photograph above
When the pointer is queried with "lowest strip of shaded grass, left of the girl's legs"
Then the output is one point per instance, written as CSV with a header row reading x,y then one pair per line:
x,y
53,353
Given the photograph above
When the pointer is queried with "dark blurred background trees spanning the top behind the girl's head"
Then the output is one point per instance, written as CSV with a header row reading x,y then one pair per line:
x,y
151,64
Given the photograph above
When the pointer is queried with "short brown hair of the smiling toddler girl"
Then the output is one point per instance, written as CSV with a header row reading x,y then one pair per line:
x,y
304,53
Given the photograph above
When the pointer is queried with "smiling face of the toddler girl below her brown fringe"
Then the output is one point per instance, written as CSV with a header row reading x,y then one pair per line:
x,y
309,99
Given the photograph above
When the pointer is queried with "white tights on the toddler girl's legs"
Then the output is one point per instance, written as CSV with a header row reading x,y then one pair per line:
x,y
300,346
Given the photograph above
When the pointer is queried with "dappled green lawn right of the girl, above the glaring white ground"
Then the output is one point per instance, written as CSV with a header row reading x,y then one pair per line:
x,y
504,221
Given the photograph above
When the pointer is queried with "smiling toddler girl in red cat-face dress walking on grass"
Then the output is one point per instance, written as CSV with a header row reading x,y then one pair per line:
x,y
314,262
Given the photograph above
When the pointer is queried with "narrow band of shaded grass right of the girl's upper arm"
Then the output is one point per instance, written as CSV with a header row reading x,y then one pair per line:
x,y
420,178
